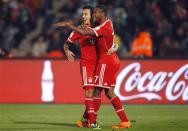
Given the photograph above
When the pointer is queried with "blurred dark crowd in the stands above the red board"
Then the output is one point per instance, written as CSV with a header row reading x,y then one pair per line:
x,y
26,27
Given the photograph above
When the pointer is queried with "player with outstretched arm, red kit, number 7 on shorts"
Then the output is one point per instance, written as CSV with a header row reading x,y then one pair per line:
x,y
108,64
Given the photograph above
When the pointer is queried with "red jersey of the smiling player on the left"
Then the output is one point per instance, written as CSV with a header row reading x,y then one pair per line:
x,y
88,48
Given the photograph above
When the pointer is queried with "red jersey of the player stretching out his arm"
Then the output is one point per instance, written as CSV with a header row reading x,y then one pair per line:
x,y
105,40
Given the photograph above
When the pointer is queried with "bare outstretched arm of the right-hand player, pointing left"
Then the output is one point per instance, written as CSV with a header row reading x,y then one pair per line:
x,y
82,31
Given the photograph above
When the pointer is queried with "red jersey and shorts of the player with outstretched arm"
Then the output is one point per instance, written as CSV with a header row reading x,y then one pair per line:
x,y
108,65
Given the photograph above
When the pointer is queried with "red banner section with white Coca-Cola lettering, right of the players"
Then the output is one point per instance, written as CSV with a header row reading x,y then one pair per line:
x,y
153,81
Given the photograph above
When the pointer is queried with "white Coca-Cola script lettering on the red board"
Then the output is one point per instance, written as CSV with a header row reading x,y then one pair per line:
x,y
148,85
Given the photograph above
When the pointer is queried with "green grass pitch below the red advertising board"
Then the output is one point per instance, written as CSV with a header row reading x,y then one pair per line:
x,y
51,117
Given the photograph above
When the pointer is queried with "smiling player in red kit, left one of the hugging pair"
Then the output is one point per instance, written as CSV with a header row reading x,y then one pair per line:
x,y
87,65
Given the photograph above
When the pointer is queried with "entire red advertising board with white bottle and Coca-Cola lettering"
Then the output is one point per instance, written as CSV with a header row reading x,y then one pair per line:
x,y
59,81
